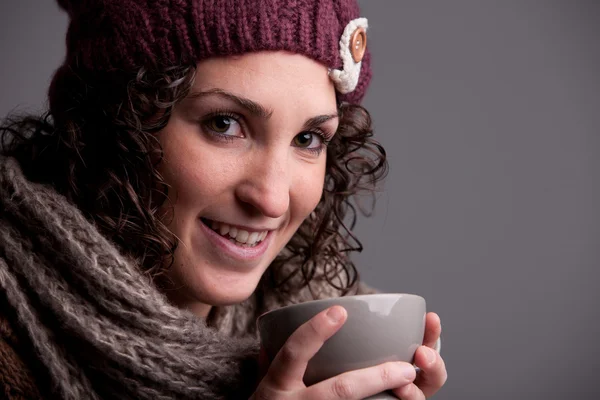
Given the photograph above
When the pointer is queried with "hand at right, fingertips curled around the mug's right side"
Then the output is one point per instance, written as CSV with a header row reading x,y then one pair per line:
x,y
433,373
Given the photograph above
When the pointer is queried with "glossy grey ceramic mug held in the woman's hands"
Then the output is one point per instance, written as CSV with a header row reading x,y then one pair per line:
x,y
380,328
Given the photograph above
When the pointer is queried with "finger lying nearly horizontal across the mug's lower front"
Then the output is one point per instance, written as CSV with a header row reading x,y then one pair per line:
x,y
362,383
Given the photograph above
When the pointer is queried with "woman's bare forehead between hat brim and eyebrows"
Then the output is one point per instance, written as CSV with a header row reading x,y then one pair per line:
x,y
273,79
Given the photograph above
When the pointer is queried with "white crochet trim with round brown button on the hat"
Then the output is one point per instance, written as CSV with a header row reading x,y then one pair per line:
x,y
352,48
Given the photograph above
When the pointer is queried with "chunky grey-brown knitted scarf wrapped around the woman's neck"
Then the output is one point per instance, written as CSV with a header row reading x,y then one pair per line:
x,y
100,327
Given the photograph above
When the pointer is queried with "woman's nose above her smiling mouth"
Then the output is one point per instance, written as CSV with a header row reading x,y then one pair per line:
x,y
266,184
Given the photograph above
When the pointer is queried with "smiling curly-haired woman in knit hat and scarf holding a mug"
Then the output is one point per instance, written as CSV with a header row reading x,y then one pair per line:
x,y
193,171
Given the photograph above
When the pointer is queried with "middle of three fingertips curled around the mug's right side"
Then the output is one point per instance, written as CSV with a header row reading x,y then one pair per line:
x,y
433,373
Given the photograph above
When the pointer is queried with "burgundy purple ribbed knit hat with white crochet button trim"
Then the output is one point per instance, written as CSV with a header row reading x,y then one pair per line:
x,y
107,35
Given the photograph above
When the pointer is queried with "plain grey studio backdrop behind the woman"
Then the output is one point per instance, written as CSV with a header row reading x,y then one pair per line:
x,y
489,113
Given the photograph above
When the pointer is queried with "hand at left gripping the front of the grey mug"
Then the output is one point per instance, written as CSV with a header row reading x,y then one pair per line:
x,y
283,378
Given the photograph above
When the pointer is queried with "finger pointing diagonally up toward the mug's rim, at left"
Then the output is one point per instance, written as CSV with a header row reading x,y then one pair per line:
x,y
289,365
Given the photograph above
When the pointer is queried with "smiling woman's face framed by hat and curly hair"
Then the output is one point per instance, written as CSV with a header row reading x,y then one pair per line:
x,y
245,160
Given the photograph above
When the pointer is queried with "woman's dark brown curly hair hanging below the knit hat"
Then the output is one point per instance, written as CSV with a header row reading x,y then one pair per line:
x,y
97,146
